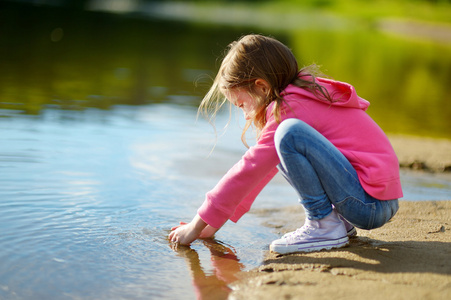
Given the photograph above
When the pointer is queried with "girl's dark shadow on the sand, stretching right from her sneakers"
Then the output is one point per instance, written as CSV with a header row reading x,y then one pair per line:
x,y
373,255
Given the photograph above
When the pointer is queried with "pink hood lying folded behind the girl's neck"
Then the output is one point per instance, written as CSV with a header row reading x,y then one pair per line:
x,y
343,94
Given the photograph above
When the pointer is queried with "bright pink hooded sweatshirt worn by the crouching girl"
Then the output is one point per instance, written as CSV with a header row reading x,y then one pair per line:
x,y
344,123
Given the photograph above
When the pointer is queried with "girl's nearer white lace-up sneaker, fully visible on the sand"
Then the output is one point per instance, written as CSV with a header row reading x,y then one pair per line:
x,y
315,235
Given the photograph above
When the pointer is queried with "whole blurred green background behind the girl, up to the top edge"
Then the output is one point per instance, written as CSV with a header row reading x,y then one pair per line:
x,y
73,55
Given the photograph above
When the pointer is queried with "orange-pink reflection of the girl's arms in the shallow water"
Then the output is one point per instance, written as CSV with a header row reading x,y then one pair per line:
x,y
225,263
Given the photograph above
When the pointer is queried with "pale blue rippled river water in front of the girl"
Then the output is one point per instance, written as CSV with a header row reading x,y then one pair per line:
x,y
88,198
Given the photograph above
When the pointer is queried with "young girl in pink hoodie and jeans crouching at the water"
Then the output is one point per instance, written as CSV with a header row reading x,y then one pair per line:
x,y
316,132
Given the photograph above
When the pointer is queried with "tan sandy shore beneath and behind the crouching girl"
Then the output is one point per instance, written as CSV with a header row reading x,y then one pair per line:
x,y
408,258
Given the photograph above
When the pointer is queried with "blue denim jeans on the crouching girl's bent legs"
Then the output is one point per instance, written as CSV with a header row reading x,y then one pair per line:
x,y
324,178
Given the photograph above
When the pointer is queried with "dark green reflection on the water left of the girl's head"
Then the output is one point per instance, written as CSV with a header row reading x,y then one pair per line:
x,y
73,59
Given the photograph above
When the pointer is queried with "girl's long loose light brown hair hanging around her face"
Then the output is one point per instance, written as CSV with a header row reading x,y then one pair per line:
x,y
255,57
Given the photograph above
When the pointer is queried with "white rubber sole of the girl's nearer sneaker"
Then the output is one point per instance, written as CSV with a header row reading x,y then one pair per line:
x,y
310,247
